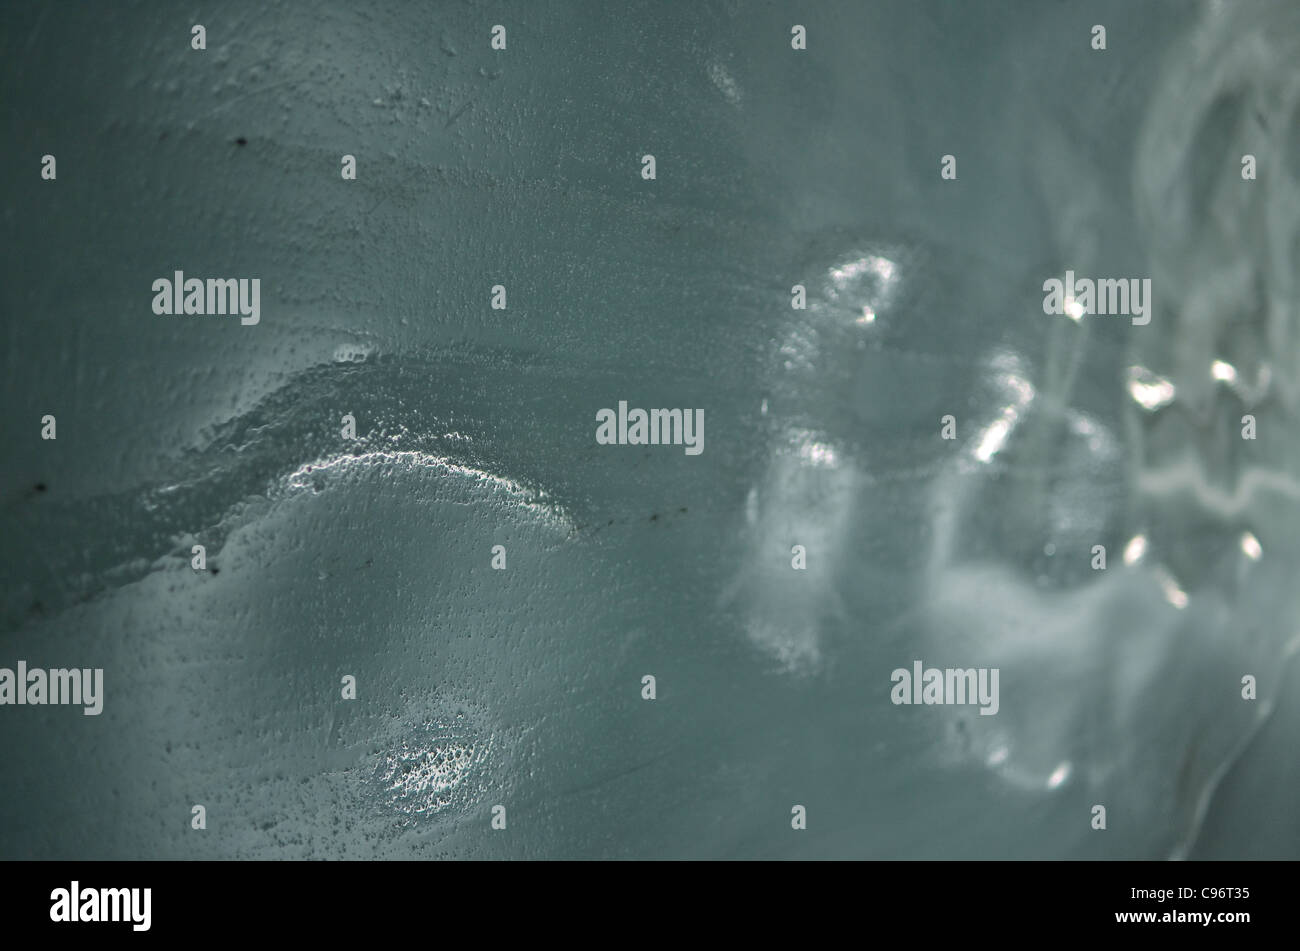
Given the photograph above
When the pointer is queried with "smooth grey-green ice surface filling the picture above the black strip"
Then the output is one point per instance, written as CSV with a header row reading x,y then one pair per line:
x,y
523,688
